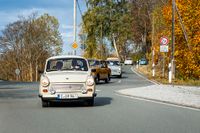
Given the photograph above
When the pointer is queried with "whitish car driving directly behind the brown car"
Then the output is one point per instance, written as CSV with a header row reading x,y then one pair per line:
x,y
115,66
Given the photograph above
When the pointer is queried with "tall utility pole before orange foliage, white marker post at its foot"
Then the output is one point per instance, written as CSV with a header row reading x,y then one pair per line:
x,y
172,69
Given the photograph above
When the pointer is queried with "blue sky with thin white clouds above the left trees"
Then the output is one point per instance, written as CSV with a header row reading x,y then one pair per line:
x,y
61,9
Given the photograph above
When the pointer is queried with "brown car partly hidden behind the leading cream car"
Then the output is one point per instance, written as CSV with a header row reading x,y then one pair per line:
x,y
100,70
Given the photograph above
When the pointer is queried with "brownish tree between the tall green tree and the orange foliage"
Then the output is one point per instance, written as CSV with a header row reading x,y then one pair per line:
x,y
142,22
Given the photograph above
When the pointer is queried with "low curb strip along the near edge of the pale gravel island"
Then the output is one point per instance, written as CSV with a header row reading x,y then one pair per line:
x,y
159,101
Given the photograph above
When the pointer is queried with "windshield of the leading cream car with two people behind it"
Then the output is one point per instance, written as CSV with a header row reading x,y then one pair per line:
x,y
67,64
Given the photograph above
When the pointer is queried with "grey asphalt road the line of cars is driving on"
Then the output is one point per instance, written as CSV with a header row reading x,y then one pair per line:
x,y
21,112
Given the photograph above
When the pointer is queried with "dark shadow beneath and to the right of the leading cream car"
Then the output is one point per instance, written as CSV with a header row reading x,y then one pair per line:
x,y
99,101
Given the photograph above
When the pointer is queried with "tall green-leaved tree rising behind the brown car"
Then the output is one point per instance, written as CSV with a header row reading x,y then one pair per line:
x,y
103,20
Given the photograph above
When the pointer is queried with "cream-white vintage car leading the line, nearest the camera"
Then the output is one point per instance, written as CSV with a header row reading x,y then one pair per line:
x,y
66,78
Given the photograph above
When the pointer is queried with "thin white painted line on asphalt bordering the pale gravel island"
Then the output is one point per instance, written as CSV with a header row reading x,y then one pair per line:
x,y
157,102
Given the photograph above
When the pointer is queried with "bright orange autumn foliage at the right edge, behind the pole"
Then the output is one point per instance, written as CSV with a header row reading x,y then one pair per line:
x,y
187,59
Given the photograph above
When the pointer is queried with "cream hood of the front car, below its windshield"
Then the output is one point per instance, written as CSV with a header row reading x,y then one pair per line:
x,y
74,76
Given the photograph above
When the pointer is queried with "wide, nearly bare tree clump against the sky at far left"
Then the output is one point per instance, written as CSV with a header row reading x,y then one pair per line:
x,y
27,43
